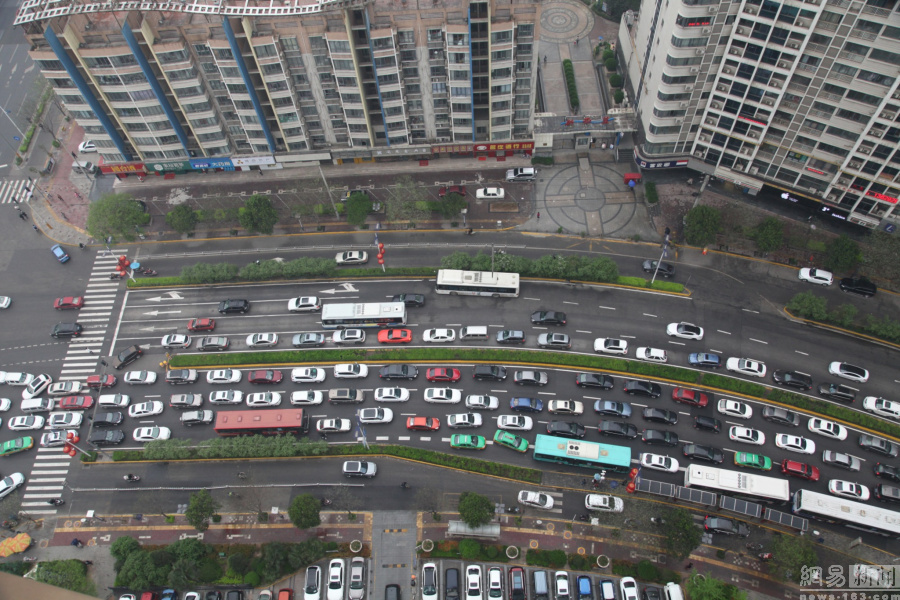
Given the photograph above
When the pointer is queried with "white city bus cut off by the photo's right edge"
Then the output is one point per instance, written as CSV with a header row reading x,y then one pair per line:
x,y
857,515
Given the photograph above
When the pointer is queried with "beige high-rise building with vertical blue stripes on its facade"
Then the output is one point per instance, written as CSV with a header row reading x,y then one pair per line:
x,y
232,83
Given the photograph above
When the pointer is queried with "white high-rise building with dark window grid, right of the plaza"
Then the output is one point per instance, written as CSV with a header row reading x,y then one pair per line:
x,y
801,96
